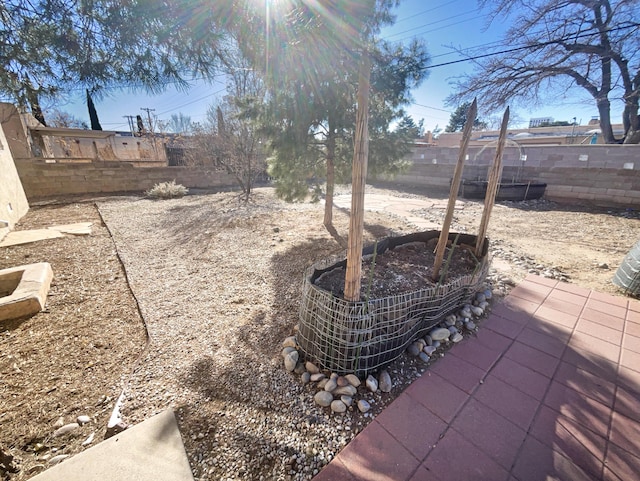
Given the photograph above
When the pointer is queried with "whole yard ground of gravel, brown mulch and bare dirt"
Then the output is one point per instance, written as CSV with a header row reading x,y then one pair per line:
x,y
216,284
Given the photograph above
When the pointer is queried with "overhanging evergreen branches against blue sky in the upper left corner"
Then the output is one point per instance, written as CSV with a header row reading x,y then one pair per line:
x,y
48,47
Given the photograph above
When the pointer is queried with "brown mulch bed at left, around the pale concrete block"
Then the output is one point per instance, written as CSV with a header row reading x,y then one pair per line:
x,y
73,358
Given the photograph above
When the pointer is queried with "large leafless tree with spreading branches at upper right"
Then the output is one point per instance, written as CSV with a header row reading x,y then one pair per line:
x,y
554,47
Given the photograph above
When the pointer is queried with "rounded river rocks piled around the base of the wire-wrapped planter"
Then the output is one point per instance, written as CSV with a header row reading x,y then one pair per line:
x,y
339,392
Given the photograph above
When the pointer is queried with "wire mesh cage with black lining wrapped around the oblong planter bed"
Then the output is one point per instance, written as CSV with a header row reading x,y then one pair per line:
x,y
362,337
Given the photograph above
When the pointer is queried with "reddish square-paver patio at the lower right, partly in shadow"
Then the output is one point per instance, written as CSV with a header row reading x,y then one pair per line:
x,y
549,390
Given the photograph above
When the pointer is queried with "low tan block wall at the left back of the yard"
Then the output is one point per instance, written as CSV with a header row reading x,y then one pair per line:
x,y
41,179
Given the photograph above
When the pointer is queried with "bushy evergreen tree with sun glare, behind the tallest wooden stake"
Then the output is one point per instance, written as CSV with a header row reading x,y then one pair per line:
x,y
311,74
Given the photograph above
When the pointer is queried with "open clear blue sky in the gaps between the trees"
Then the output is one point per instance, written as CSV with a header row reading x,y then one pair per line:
x,y
440,23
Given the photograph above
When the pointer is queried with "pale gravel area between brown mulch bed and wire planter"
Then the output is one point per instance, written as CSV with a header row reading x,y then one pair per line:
x,y
218,284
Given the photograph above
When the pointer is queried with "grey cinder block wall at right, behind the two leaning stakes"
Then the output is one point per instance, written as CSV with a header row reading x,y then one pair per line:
x,y
601,174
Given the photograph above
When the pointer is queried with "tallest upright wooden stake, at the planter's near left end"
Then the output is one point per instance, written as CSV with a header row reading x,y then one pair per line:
x,y
359,177
